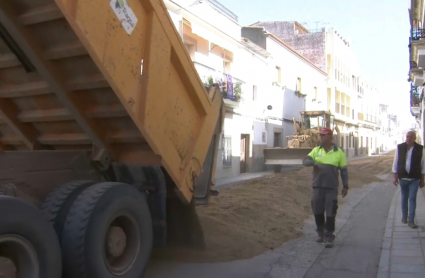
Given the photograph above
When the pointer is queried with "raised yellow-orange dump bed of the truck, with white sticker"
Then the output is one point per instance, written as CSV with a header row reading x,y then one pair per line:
x,y
116,78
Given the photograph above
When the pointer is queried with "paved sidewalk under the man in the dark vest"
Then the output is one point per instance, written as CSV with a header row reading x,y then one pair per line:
x,y
403,248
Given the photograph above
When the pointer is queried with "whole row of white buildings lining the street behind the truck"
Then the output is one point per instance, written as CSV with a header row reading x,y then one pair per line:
x,y
268,73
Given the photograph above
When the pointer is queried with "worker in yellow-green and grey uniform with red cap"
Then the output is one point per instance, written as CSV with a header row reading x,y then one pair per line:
x,y
326,160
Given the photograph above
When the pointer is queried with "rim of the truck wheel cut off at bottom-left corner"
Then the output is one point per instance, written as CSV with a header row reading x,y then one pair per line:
x,y
22,254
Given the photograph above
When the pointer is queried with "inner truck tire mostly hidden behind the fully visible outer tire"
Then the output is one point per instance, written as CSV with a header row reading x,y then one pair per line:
x,y
57,203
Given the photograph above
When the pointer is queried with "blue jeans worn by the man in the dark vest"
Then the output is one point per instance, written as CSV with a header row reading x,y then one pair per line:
x,y
409,190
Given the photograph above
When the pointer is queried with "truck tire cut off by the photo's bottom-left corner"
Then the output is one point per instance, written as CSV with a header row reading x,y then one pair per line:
x,y
28,240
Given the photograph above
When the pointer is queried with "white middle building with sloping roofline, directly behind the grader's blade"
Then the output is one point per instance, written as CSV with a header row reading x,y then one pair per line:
x,y
297,83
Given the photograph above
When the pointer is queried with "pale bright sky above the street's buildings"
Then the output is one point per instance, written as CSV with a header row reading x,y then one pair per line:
x,y
379,33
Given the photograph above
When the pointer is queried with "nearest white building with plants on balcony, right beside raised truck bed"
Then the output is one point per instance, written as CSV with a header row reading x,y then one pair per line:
x,y
213,39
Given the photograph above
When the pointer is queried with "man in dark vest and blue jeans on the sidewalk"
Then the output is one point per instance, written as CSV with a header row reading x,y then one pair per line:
x,y
409,171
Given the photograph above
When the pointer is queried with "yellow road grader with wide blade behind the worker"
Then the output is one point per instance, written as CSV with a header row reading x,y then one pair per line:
x,y
300,144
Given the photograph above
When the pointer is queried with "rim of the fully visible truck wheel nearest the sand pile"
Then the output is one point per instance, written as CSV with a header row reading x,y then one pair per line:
x,y
122,244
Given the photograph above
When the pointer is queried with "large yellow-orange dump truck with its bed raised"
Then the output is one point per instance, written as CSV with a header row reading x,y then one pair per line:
x,y
108,137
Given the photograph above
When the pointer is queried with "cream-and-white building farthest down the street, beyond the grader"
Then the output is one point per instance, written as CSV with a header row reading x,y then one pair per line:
x,y
348,96
